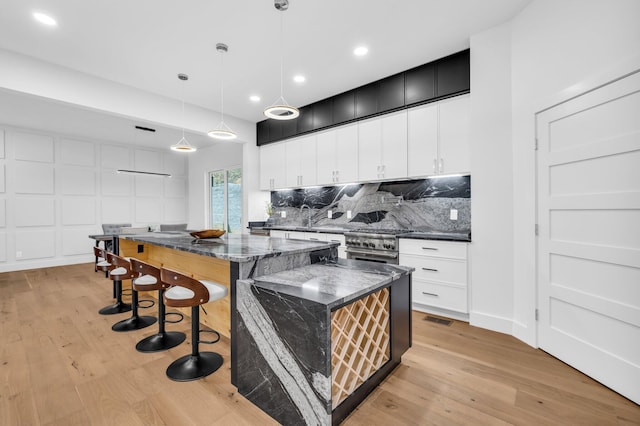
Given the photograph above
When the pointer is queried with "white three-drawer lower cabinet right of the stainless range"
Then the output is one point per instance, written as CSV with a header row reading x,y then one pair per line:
x,y
440,278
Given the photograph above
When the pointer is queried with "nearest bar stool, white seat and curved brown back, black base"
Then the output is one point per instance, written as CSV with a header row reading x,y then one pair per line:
x,y
189,292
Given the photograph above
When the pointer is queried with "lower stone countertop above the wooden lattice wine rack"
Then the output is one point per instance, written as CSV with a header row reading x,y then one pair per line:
x,y
332,284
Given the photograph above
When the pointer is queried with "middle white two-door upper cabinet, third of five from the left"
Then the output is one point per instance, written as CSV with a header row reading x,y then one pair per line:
x,y
337,150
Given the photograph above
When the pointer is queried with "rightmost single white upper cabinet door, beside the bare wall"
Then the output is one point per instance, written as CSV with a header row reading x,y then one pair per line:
x,y
454,135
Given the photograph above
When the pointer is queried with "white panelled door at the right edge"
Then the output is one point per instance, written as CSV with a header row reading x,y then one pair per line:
x,y
589,233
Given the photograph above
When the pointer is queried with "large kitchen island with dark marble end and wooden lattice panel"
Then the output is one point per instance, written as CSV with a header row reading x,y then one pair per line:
x,y
311,335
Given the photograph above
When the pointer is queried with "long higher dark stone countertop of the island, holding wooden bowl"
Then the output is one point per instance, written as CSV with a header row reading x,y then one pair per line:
x,y
233,247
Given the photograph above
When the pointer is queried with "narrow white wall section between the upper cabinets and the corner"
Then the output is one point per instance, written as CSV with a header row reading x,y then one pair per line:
x,y
491,252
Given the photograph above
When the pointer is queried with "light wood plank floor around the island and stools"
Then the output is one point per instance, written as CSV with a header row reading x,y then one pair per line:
x,y
60,364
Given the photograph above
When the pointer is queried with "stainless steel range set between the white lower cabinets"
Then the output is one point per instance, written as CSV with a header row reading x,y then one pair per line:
x,y
375,245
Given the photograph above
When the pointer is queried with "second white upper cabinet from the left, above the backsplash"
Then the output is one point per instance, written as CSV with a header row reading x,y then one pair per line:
x,y
300,155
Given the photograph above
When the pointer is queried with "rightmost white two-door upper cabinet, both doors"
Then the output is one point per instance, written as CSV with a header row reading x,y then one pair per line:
x,y
439,138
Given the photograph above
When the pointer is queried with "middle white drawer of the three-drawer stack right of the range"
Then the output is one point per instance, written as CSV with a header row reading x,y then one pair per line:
x,y
436,269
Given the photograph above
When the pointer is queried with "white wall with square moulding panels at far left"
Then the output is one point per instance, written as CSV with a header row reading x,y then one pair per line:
x,y
56,190
